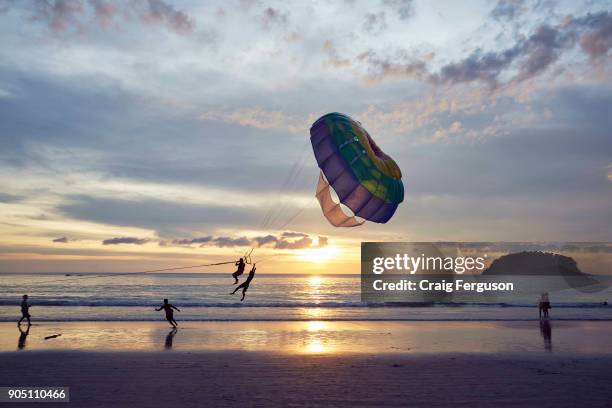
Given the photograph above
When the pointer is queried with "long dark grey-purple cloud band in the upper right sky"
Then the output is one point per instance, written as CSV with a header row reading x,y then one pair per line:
x,y
529,57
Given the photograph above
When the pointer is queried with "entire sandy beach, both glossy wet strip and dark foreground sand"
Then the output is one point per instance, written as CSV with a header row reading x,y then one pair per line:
x,y
429,364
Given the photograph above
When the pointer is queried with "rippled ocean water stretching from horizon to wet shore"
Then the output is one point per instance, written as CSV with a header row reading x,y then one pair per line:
x,y
271,297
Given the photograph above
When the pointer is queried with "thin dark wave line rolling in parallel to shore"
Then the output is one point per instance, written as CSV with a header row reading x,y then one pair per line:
x,y
330,305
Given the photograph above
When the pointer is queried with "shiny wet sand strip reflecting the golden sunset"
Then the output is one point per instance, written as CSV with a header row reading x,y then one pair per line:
x,y
316,337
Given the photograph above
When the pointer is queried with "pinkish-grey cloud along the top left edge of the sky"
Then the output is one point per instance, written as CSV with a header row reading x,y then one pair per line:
x,y
61,16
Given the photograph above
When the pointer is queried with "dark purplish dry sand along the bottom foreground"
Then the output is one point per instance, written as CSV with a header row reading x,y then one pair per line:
x,y
248,379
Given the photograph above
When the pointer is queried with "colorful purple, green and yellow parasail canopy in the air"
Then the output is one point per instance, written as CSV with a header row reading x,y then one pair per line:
x,y
365,179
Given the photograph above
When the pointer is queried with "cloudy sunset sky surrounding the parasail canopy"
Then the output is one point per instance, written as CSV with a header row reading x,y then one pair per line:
x,y
148,134
